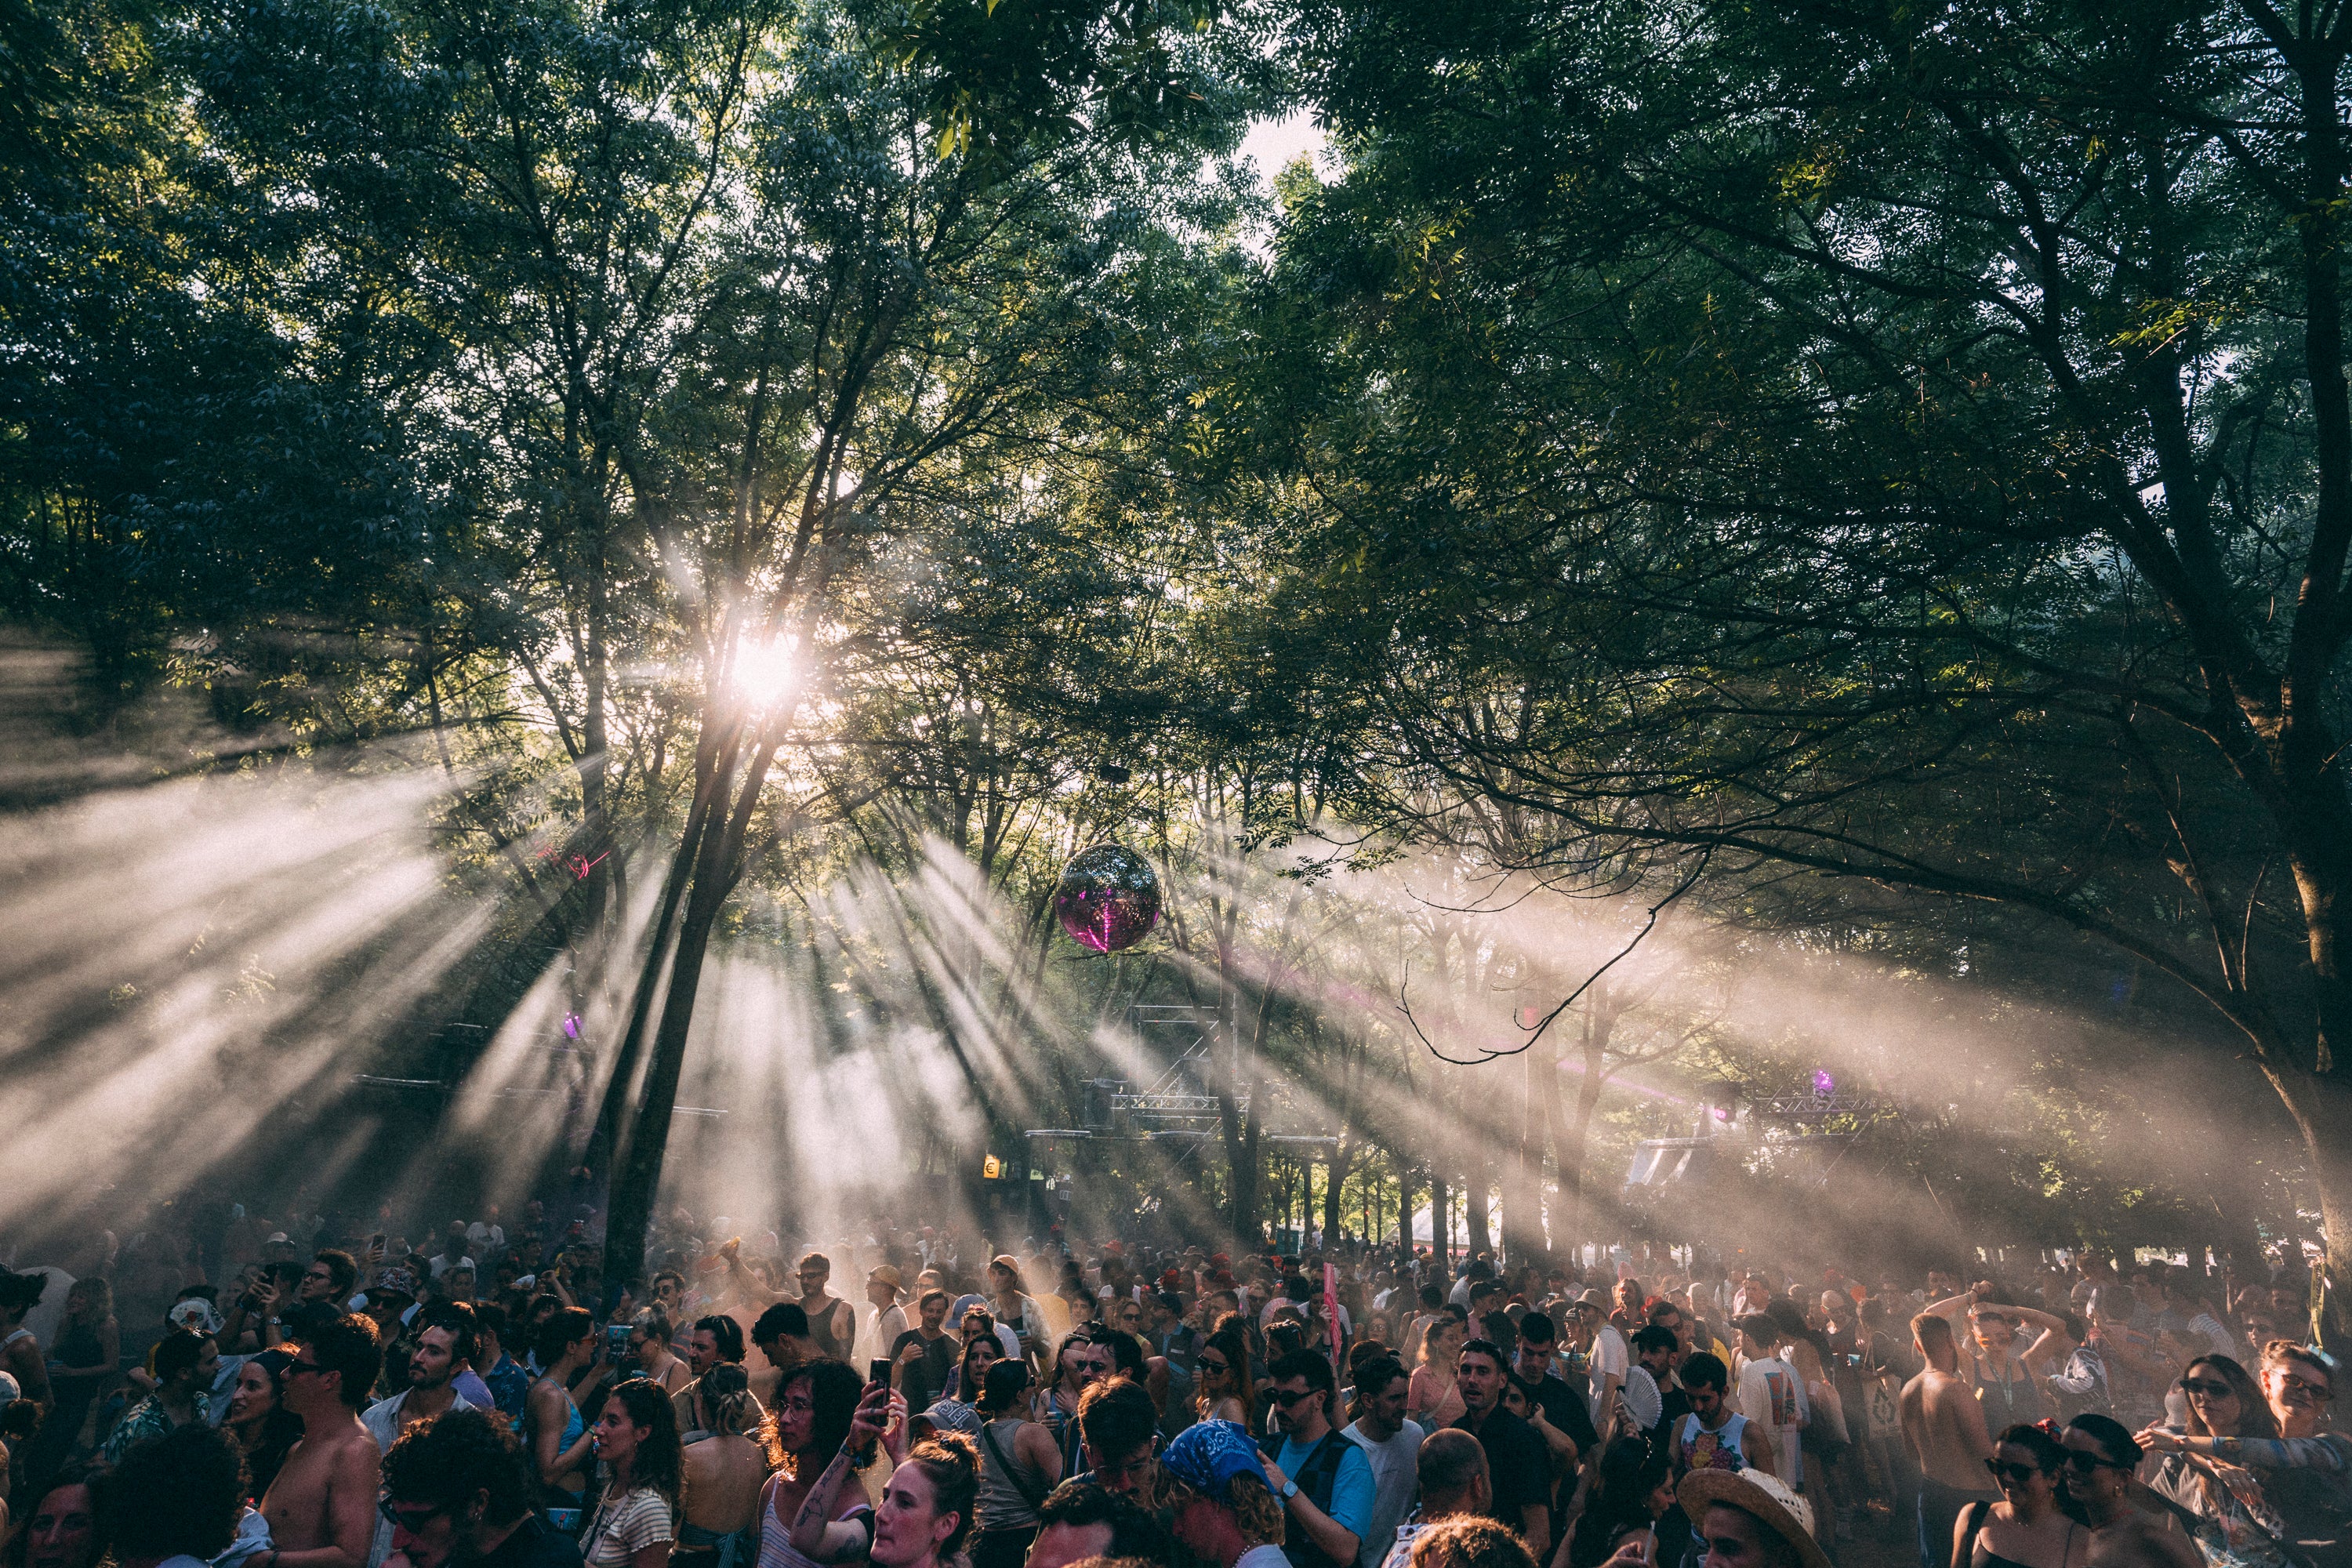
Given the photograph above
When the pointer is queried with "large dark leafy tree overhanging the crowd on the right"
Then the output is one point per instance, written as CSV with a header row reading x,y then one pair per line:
x,y
1909,450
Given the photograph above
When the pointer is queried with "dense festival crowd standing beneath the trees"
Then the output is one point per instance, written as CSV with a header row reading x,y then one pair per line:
x,y
302,1395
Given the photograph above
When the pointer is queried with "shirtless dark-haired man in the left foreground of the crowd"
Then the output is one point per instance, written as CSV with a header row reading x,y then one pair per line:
x,y
323,1503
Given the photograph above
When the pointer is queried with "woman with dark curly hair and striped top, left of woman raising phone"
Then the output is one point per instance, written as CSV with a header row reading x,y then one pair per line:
x,y
815,1442
